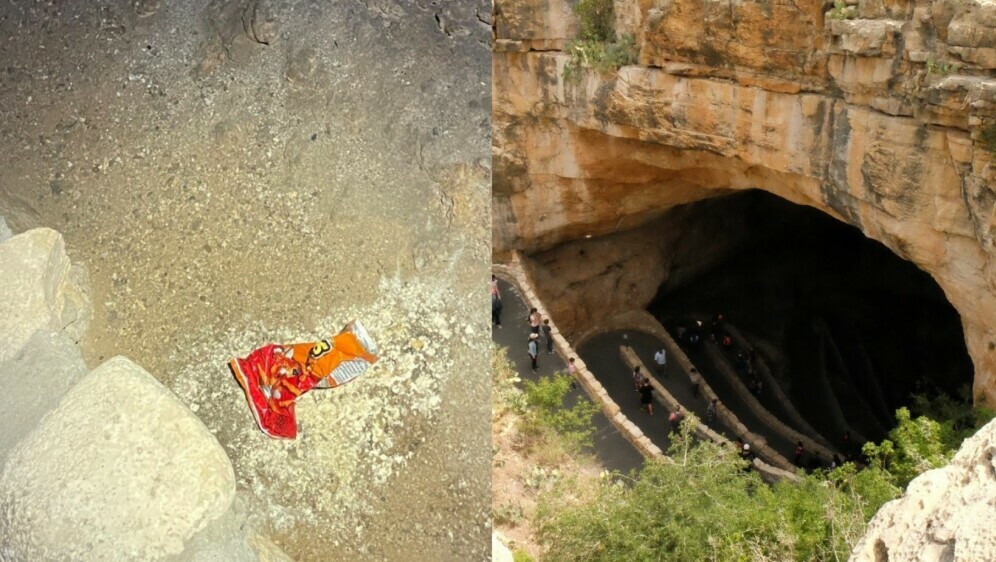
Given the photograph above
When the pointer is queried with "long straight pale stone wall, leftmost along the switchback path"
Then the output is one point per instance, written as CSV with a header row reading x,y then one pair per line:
x,y
515,274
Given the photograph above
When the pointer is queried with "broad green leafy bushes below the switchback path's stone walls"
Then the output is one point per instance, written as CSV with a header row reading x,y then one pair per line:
x,y
701,503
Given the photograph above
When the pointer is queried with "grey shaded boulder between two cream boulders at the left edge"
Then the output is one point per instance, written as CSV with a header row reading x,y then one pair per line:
x,y
37,377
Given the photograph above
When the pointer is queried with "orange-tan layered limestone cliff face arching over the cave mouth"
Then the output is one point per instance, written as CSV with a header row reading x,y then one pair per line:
x,y
875,118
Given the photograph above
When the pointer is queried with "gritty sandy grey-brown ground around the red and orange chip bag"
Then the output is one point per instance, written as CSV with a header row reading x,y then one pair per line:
x,y
233,173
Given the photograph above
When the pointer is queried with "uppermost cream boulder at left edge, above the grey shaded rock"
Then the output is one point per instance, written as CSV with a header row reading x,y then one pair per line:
x,y
40,290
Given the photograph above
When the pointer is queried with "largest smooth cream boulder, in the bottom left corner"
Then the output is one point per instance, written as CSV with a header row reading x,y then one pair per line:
x,y
120,470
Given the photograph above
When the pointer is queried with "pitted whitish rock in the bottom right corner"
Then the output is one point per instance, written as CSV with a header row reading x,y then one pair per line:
x,y
946,514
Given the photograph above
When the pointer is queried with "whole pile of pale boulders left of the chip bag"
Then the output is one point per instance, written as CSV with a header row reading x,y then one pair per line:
x,y
131,472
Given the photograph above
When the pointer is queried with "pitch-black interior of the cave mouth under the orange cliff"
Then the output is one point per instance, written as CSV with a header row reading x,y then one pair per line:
x,y
845,326
